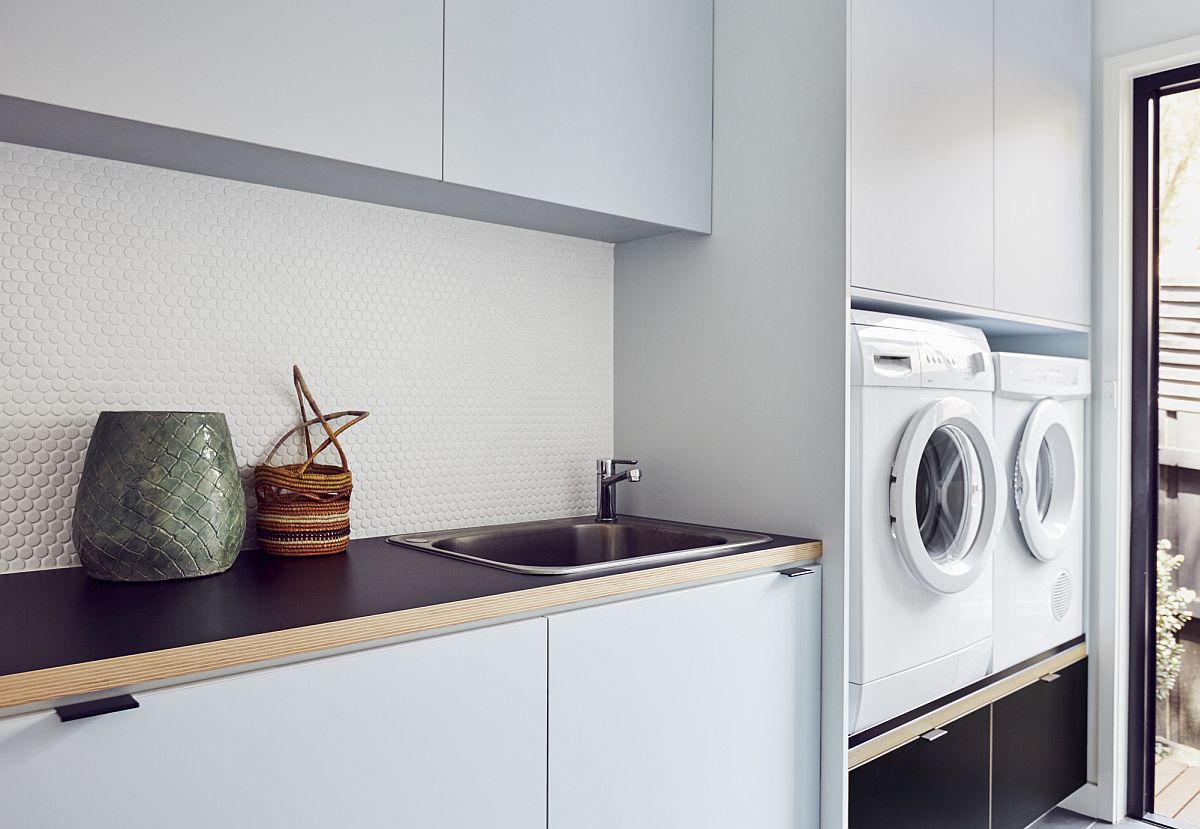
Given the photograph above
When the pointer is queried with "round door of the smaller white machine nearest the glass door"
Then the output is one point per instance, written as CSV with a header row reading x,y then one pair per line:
x,y
1046,483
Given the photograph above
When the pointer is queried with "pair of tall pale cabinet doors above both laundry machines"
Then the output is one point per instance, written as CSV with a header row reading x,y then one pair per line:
x,y
970,153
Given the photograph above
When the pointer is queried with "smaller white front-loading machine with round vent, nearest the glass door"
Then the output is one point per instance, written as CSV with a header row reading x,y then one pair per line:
x,y
1040,410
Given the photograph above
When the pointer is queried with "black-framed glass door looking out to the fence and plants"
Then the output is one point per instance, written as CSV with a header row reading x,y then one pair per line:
x,y
1165,720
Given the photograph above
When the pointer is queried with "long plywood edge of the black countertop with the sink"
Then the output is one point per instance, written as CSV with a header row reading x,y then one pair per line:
x,y
56,683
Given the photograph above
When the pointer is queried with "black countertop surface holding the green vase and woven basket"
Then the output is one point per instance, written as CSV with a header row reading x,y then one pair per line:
x,y
55,618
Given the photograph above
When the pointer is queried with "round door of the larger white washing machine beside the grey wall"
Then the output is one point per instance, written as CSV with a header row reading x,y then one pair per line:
x,y
947,495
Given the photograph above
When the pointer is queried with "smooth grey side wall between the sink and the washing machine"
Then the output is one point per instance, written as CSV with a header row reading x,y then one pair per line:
x,y
730,368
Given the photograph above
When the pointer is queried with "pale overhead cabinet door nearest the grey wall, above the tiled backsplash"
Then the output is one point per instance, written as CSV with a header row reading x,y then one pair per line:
x,y
604,105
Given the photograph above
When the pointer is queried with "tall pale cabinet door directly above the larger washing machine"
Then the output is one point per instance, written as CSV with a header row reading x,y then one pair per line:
x,y
921,148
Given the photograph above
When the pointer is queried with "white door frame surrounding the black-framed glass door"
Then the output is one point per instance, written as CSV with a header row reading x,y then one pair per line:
x,y
1113,452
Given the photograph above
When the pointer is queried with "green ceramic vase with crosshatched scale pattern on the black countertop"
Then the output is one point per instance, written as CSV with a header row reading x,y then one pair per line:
x,y
160,497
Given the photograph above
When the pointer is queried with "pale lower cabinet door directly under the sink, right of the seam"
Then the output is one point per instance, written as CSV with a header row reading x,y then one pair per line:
x,y
698,708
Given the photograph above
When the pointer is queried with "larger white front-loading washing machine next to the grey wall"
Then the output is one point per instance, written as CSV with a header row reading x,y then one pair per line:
x,y
928,496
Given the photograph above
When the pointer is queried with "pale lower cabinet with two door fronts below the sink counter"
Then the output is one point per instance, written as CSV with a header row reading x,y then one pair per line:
x,y
697,708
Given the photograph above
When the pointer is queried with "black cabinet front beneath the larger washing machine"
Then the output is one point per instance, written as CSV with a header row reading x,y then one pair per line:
x,y
941,783
